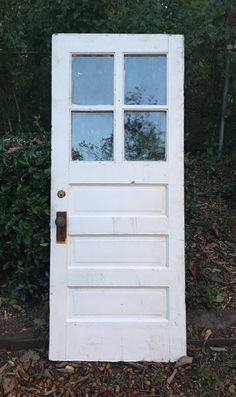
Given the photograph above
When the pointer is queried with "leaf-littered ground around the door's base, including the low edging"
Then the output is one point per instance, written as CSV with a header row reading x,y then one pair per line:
x,y
208,370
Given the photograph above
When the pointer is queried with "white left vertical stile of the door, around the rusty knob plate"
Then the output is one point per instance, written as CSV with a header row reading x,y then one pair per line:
x,y
59,181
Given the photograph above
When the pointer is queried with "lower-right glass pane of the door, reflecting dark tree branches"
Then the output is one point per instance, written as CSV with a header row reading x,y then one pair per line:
x,y
145,135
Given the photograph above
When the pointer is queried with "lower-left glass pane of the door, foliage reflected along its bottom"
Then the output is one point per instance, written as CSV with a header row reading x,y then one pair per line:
x,y
92,136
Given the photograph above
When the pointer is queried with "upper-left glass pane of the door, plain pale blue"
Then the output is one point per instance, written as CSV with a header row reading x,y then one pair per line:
x,y
92,79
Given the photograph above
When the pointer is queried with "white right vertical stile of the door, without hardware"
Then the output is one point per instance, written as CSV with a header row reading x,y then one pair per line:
x,y
175,159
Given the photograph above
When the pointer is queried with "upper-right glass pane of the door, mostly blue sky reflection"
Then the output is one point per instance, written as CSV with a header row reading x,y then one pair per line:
x,y
145,80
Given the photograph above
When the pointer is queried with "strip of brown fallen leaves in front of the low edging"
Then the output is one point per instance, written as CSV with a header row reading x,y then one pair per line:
x,y
212,372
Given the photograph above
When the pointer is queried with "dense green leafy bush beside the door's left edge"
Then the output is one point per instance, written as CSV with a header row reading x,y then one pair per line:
x,y
24,214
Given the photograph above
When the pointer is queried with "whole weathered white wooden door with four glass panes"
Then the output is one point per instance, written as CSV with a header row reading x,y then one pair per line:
x,y
117,267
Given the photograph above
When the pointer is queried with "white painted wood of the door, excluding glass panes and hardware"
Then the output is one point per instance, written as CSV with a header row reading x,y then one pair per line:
x,y
117,284
